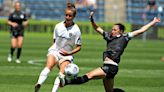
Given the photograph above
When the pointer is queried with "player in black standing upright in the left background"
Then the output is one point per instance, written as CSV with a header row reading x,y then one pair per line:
x,y
17,21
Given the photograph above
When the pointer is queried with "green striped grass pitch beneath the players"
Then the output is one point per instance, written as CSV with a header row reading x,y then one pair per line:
x,y
141,69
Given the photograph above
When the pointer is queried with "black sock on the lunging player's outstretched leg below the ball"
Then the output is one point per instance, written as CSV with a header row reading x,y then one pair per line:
x,y
78,80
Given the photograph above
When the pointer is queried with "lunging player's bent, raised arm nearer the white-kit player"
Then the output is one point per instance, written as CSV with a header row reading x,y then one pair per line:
x,y
94,25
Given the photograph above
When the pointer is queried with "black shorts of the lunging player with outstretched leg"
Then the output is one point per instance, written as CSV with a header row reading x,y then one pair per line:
x,y
110,70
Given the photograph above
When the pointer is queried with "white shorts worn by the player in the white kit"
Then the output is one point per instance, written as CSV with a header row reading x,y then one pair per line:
x,y
60,58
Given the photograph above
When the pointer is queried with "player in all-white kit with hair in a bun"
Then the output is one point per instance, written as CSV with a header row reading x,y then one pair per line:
x,y
67,42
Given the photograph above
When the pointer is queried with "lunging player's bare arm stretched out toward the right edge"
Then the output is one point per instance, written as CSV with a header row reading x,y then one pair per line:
x,y
145,27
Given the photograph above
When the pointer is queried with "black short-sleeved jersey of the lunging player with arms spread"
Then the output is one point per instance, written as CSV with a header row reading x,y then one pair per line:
x,y
115,46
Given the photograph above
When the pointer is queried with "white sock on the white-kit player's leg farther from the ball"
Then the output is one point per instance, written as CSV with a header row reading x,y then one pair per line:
x,y
43,75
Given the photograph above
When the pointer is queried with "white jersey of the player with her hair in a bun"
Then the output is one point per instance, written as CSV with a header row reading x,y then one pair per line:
x,y
66,38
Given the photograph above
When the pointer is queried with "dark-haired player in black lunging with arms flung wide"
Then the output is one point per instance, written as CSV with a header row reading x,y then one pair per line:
x,y
117,41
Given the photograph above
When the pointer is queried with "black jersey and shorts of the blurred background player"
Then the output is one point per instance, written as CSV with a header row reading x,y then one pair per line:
x,y
18,17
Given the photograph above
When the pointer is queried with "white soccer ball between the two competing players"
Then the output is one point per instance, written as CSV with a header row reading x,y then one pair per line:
x,y
71,70
